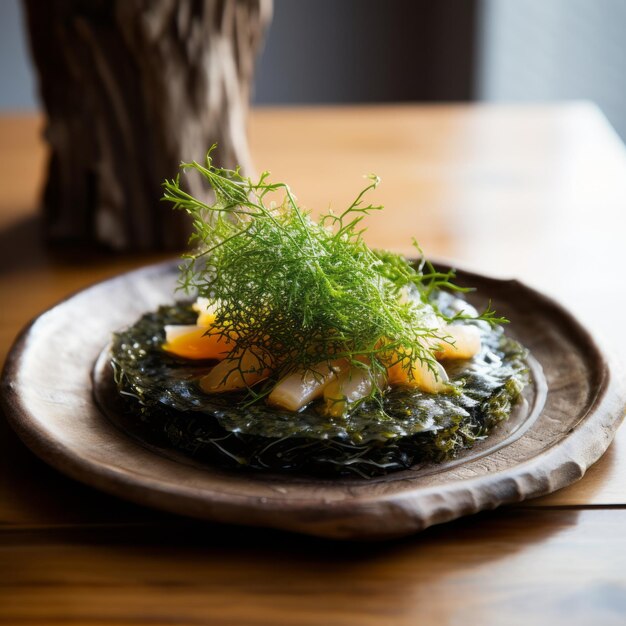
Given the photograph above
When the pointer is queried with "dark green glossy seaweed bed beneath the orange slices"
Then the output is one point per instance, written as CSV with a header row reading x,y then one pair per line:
x,y
397,430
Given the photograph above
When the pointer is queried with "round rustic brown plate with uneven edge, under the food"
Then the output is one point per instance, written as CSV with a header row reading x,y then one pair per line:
x,y
570,415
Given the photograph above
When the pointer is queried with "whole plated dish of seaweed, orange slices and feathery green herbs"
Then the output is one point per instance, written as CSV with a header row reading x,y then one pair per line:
x,y
298,348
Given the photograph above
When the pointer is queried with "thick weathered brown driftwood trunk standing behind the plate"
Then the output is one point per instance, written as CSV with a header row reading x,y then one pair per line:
x,y
131,89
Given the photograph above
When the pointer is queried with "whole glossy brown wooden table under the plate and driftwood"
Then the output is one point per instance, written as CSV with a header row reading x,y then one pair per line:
x,y
538,193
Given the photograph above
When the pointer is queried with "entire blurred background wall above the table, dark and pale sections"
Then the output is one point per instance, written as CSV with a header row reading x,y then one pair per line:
x,y
340,51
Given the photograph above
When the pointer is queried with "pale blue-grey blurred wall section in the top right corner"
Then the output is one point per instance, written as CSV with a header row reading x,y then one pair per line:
x,y
537,50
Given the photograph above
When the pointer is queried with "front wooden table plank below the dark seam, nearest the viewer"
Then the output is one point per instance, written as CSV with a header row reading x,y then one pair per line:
x,y
509,567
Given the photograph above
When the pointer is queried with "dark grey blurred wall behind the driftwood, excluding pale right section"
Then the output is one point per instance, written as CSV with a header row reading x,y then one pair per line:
x,y
323,51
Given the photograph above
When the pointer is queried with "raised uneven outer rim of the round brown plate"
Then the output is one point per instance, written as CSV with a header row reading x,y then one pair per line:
x,y
358,515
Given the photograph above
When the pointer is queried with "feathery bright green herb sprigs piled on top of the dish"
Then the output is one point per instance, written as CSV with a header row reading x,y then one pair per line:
x,y
296,292
